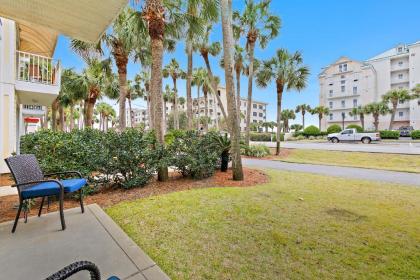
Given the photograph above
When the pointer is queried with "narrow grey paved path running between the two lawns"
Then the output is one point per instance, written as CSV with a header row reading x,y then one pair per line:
x,y
404,178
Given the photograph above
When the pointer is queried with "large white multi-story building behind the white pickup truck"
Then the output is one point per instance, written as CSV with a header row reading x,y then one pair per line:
x,y
347,84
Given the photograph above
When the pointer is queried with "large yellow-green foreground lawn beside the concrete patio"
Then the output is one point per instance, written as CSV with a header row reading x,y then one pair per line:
x,y
299,226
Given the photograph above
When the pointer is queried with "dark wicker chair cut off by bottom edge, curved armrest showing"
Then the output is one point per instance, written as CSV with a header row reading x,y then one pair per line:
x,y
76,267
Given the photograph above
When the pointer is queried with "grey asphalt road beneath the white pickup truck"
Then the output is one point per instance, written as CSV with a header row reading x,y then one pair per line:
x,y
403,147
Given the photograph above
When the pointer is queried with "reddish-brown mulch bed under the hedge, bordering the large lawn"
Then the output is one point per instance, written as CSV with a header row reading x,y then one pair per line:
x,y
109,197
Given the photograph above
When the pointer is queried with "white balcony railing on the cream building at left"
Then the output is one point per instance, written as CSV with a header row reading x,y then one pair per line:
x,y
37,69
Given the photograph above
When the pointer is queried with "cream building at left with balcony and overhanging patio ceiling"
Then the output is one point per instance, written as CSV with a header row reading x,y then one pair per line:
x,y
29,76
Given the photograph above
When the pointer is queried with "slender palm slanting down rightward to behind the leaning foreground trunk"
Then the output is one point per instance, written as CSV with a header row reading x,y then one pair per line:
x,y
203,45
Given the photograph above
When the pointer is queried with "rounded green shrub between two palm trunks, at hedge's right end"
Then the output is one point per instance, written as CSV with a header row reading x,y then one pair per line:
x,y
194,155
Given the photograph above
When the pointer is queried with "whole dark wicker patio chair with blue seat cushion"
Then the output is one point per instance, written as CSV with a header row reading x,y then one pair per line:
x,y
31,182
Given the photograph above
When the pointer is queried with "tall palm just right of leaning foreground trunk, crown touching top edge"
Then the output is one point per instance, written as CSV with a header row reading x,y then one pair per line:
x,y
258,24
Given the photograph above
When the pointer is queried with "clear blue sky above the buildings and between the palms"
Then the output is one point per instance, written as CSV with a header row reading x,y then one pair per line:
x,y
323,30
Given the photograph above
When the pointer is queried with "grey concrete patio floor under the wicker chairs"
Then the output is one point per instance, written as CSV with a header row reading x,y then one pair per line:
x,y
40,248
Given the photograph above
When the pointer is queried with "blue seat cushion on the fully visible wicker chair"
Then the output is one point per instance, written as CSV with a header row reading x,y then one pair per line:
x,y
51,188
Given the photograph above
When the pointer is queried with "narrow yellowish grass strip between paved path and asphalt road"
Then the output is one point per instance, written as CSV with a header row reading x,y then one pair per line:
x,y
407,163
